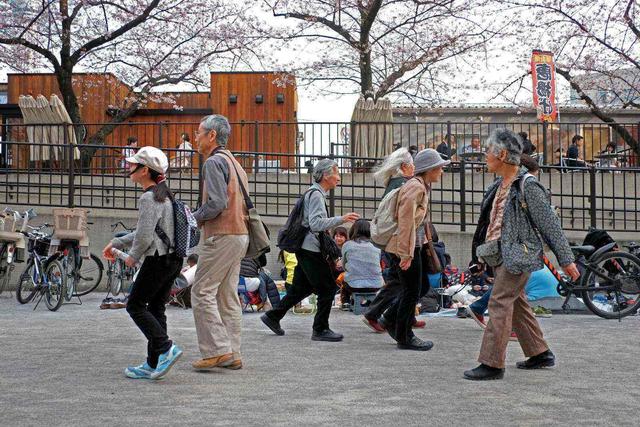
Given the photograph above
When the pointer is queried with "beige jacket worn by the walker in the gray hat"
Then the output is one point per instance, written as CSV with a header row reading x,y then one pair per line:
x,y
413,202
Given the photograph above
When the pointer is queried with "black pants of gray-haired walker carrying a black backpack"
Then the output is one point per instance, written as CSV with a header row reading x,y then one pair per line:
x,y
312,275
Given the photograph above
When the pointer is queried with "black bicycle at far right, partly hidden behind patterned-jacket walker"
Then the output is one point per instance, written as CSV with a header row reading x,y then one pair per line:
x,y
609,284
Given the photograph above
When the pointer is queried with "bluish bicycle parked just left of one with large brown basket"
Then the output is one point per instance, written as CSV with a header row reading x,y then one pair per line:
x,y
43,274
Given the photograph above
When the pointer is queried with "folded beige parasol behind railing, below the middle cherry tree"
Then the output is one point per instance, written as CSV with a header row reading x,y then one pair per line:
x,y
372,131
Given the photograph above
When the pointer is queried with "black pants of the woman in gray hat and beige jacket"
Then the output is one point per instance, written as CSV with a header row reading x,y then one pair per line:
x,y
401,313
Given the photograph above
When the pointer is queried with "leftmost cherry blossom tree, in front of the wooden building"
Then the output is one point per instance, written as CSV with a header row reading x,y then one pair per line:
x,y
145,43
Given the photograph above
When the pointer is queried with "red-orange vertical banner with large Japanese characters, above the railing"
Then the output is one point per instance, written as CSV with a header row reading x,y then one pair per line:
x,y
543,72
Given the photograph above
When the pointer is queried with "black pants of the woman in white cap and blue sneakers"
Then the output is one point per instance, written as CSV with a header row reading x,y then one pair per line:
x,y
147,300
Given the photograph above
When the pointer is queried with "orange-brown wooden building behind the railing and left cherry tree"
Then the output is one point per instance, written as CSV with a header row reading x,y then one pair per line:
x,y
245,98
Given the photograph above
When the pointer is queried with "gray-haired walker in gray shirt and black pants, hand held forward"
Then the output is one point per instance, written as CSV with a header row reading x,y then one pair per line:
x,y
313,273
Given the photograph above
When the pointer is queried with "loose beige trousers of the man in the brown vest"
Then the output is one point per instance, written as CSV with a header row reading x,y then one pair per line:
x,y
214,297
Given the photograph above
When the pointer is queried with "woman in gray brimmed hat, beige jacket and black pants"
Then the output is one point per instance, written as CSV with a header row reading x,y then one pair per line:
x,y
405,245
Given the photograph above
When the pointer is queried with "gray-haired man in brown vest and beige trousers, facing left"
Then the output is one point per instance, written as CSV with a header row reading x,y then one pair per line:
x,y
223,217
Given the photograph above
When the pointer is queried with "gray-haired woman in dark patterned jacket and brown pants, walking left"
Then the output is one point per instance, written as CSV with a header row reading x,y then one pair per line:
x,y
507,239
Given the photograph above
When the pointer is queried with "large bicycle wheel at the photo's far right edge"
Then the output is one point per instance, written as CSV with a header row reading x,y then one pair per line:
x,y
623,270
